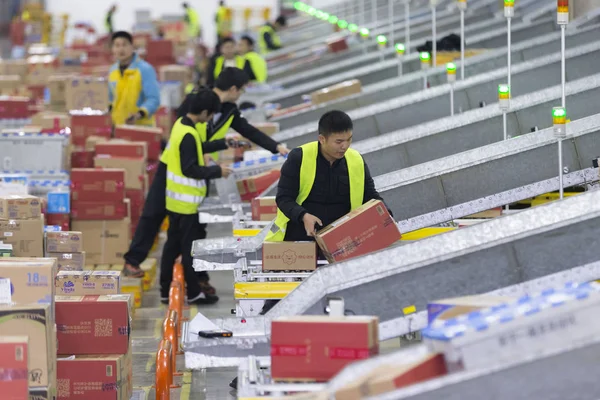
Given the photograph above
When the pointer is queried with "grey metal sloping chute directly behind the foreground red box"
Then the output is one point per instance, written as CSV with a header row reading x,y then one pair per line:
x,y
502,252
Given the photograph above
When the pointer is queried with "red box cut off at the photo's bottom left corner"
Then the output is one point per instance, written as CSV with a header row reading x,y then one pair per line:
x,y
14,379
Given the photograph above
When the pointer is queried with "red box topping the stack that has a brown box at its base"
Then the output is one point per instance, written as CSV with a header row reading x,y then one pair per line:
x,y
96,184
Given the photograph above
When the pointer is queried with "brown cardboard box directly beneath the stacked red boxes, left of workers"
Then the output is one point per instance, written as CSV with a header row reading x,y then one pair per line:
x,y
105,241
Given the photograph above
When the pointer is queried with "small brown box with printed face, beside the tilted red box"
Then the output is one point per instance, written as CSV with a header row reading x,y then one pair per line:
x,y
293,256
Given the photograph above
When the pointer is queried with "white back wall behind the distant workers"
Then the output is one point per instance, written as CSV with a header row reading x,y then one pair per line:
x,y
94,11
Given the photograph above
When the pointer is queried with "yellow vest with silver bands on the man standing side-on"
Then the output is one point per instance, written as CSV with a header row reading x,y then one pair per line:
x,y
183,195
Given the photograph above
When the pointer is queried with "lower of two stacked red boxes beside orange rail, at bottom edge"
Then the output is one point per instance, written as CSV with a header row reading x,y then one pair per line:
x,y
87,377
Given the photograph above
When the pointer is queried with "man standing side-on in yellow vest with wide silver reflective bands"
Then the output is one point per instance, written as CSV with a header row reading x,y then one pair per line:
x,y
187,179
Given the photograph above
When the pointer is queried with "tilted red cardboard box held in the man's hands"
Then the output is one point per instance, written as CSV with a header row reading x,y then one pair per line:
x,y
364,230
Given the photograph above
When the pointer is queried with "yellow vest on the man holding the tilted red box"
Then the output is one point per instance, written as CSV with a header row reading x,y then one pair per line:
x,y
308,171
